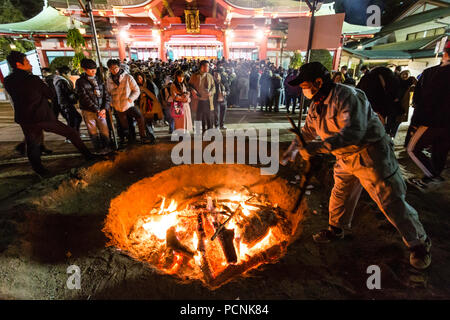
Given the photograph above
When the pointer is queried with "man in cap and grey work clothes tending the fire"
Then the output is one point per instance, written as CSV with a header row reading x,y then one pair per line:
x,y
349,129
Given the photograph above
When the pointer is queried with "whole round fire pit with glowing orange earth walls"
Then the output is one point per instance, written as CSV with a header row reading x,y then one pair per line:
x,y
205,222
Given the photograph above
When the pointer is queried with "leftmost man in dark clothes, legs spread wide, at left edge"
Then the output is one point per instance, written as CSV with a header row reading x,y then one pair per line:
x,y
32,112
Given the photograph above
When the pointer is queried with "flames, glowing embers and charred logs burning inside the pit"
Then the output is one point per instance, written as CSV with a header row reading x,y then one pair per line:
x,y
236,227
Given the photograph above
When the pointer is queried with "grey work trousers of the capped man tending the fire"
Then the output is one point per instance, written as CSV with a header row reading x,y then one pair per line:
x,y
375,169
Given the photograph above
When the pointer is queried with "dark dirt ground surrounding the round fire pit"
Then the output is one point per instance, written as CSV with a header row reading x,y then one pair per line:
x,y
48,225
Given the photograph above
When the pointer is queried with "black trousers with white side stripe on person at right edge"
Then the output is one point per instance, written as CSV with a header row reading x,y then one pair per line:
x,y
439,141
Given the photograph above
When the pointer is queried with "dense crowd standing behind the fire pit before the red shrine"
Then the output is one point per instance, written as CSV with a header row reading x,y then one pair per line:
x,y
152,92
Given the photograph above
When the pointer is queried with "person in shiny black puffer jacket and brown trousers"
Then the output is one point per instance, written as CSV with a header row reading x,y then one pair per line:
x,y
94,100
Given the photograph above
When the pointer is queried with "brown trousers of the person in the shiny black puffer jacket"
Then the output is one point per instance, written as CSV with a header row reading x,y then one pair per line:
x,y
98,129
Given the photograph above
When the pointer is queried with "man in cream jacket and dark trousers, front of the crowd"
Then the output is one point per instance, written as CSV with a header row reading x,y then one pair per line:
x,y
124,91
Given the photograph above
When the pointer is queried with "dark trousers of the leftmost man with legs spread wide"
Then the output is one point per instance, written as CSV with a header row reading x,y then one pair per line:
x,y
34,136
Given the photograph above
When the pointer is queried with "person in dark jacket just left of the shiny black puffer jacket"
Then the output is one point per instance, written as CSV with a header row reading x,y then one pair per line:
x,y
67,98
